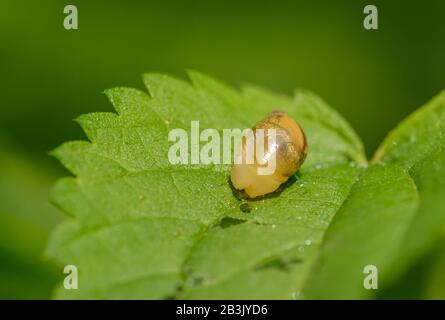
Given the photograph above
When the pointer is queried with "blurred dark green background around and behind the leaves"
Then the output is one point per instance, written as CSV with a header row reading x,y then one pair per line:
x,y
50,75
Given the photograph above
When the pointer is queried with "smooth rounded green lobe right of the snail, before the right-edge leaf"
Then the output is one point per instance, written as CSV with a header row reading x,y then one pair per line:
x,y
369,229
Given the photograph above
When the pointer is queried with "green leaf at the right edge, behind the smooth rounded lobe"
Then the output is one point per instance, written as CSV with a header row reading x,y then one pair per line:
x,y
417,145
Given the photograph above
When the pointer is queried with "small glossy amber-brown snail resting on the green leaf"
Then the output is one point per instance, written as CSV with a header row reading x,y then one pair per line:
x,y
288,150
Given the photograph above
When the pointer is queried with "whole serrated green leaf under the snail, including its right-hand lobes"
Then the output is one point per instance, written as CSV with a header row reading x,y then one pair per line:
x,y
144,228
